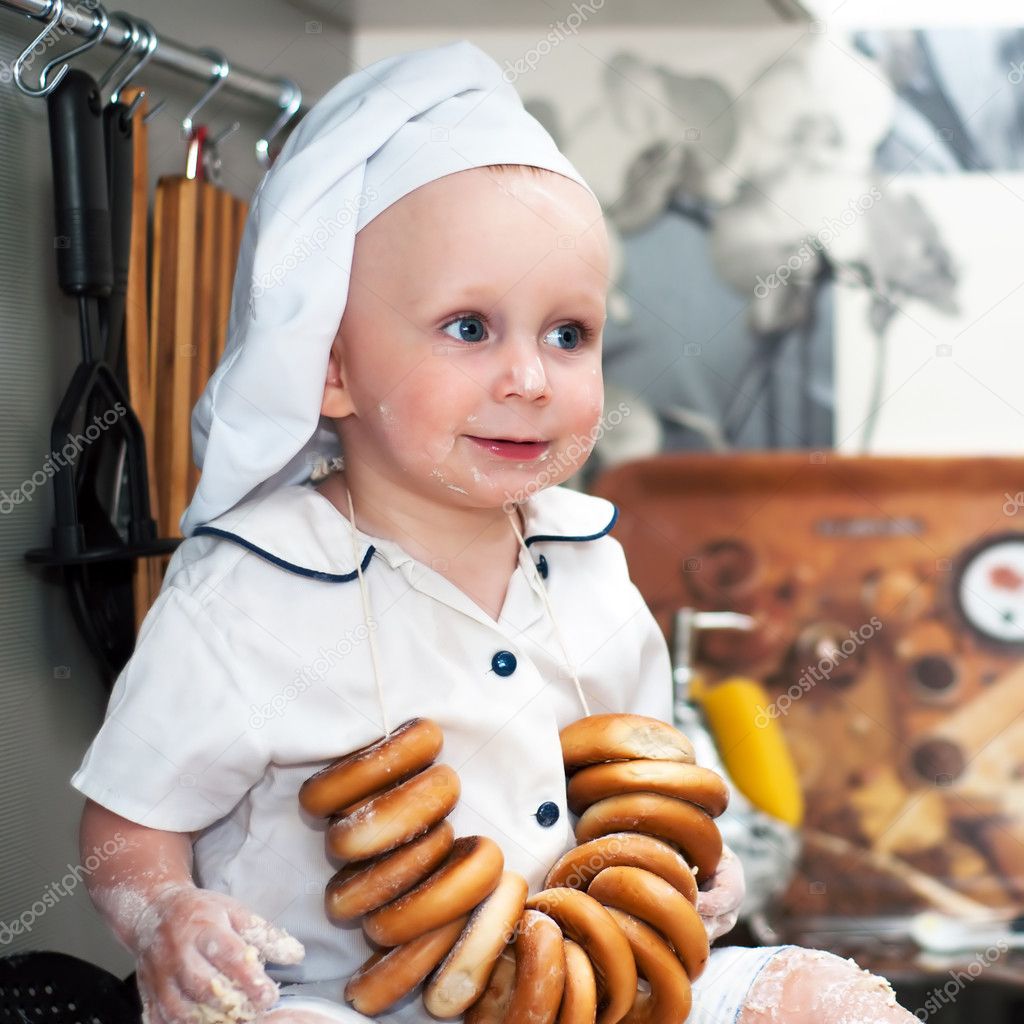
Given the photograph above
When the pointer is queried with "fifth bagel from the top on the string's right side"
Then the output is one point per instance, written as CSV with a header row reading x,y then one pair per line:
x,y
649,898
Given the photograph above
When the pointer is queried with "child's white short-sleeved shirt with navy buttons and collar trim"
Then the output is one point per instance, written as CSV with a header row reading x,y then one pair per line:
x,y
253,670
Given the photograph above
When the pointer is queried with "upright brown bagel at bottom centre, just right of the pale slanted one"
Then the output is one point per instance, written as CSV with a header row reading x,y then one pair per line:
x,y
540,971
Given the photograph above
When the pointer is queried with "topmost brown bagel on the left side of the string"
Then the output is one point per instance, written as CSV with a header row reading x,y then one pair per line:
x,y
409,749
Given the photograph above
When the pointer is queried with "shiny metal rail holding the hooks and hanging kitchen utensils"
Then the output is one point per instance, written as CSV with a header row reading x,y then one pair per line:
x,y
169,54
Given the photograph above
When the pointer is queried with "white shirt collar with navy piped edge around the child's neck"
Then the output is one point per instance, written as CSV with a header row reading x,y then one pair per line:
x,y
297,529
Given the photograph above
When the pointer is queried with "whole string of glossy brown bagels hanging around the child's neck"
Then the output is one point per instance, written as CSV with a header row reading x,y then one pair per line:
x,y
443,912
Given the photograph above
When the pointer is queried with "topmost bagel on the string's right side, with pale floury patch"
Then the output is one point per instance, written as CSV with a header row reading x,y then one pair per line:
x,y
619,738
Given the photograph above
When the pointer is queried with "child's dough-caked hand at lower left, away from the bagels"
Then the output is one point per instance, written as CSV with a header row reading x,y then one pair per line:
x,y
200,958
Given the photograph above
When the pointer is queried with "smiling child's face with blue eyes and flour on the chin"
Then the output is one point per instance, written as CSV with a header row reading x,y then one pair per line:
x,y
462,322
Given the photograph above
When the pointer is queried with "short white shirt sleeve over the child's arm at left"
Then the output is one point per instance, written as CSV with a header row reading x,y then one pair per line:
x,y
176,751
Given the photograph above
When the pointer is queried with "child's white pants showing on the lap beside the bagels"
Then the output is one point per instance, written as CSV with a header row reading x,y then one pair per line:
x,y
719,994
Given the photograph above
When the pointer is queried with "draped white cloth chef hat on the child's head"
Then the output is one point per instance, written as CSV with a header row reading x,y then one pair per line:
x,y
376,137
